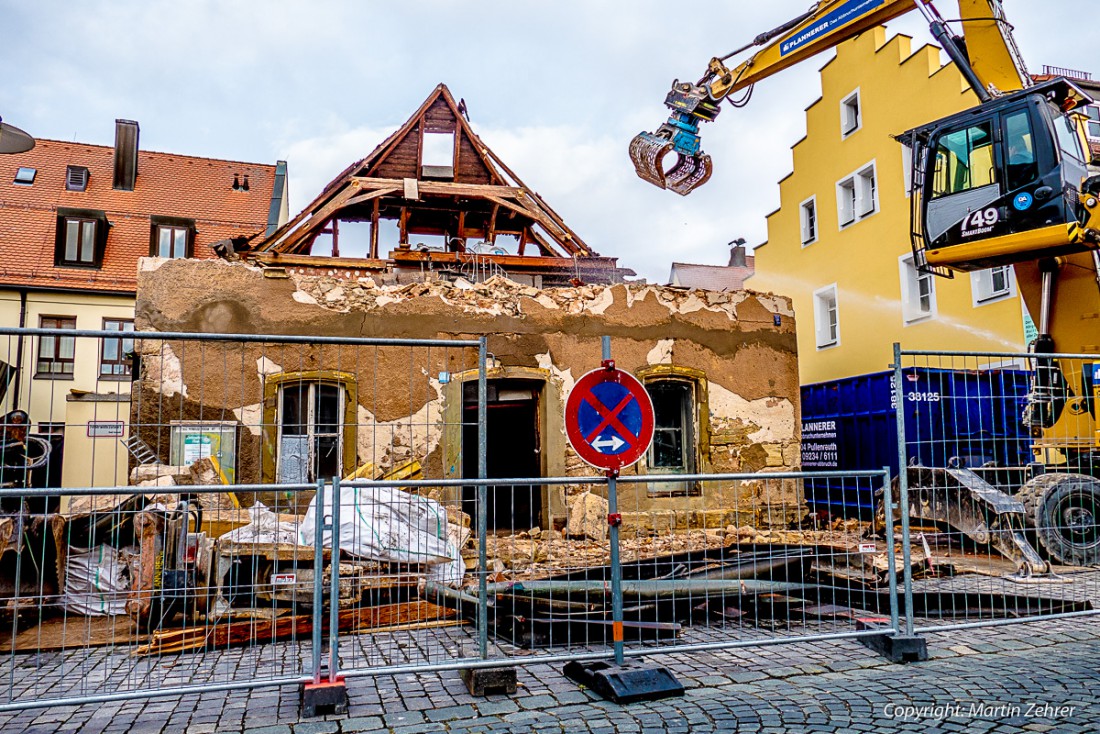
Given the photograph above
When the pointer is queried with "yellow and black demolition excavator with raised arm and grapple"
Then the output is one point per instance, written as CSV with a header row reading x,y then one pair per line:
x,y
1009,182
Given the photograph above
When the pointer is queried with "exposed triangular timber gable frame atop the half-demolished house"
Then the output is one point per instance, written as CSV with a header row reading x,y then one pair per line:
x,y
463,209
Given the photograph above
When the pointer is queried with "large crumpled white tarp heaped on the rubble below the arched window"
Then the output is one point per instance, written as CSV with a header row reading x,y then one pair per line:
x,y
387,524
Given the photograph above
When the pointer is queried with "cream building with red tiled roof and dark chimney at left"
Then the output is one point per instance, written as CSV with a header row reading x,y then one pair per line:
x,y
75,220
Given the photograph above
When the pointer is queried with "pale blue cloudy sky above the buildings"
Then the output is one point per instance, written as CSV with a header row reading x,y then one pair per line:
x,y
556,89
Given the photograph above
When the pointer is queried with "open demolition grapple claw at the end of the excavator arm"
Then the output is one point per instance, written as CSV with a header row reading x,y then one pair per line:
x,y
690,104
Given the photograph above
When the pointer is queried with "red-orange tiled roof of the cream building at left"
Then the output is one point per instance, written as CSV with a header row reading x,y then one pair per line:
x,y
168,185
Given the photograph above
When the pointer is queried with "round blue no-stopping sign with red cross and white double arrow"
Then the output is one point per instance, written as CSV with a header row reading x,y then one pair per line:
x,y
610,419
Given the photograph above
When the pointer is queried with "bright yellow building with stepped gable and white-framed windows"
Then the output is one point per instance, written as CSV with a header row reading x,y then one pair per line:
x,y
840,243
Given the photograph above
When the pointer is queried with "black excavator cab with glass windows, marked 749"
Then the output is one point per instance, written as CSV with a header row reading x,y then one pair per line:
x,y
1004,183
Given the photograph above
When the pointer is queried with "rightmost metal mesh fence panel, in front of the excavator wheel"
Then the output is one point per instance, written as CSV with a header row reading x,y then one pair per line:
x,y
1000,464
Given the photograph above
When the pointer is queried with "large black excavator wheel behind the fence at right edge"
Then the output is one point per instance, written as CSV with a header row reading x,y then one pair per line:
x,y
1065,511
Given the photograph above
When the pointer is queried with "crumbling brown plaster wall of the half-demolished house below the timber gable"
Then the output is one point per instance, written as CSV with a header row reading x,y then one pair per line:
x,y
743,344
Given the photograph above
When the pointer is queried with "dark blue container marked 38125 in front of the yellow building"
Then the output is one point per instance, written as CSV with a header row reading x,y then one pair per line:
x,y
851,424
